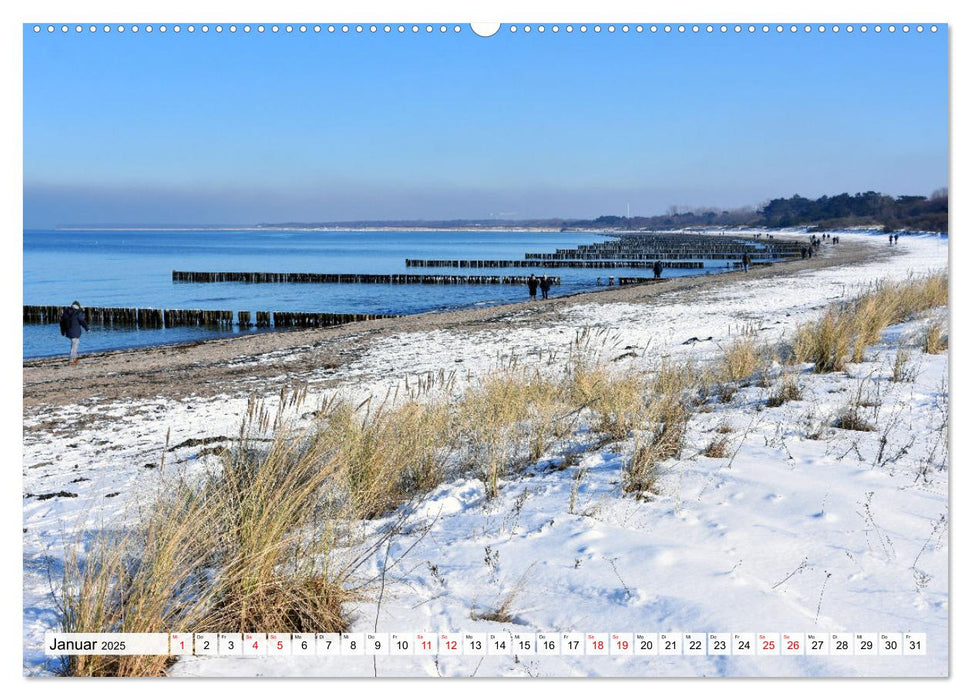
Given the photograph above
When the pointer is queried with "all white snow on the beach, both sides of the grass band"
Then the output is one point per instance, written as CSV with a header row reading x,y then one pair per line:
x,y
801,527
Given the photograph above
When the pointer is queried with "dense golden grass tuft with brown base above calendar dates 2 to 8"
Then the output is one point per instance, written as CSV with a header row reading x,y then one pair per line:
x,y
277,538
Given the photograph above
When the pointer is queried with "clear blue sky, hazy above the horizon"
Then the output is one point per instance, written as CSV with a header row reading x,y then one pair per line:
x,y
247,128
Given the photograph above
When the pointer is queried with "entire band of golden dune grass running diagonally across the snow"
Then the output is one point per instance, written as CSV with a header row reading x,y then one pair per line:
x,y
269,541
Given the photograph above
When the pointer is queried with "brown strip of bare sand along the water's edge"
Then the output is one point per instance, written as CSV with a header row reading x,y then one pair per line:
x,y
261,363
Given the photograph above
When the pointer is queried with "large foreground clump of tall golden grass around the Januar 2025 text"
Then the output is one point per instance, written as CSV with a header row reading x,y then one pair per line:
x,y
258,545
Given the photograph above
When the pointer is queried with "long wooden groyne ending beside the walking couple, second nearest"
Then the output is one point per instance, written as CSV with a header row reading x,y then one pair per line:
x,y
321,278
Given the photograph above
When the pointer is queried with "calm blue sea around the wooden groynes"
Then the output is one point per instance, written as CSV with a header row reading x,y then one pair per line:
x,y
134,269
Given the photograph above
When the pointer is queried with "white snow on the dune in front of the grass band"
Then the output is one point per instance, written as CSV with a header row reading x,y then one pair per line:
x,y
791,535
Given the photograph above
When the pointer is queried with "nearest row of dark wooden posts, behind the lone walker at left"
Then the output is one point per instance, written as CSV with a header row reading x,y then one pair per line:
x,y
183,318
